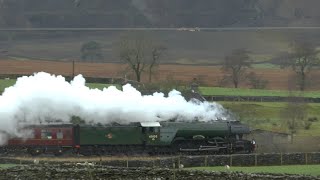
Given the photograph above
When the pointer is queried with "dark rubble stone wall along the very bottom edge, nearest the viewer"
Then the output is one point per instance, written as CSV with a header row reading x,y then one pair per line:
x,y
74,171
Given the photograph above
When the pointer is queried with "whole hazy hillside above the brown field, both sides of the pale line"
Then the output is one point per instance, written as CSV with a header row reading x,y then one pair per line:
x,y
183,47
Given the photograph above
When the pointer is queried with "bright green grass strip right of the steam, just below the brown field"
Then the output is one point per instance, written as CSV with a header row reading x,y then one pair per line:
x,y
219,91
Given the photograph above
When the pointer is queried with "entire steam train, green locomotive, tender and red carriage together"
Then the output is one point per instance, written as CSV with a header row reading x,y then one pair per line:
x,y
217,137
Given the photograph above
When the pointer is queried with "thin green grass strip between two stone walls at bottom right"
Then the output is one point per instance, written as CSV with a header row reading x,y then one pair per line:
x,y
313,170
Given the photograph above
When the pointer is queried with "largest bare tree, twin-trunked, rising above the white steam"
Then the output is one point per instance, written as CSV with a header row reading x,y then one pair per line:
x,y
139,51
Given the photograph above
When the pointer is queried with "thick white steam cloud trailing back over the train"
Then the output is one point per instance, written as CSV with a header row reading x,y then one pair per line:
x,y
45,97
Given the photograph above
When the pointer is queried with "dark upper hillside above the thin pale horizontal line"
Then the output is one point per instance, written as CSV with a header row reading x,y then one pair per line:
x,y
155,13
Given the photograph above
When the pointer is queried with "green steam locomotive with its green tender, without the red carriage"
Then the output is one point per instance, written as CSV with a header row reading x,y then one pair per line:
x,y
217,137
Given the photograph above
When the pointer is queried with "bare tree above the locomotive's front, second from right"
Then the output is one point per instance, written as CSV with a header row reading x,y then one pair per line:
x,y
236,64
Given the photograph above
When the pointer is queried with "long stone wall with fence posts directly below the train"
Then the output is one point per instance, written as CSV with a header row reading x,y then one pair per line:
x,y
196,161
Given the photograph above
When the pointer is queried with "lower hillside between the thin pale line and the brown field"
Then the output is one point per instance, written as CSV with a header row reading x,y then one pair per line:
x,y
183,47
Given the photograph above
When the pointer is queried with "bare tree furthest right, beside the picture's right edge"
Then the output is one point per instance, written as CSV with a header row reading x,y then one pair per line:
x,y
302,59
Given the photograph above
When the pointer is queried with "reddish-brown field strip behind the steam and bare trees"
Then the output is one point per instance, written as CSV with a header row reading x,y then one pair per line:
x,y
209,75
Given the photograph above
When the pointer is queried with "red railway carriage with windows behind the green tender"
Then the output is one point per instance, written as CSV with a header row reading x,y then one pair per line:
x,y
45,138
